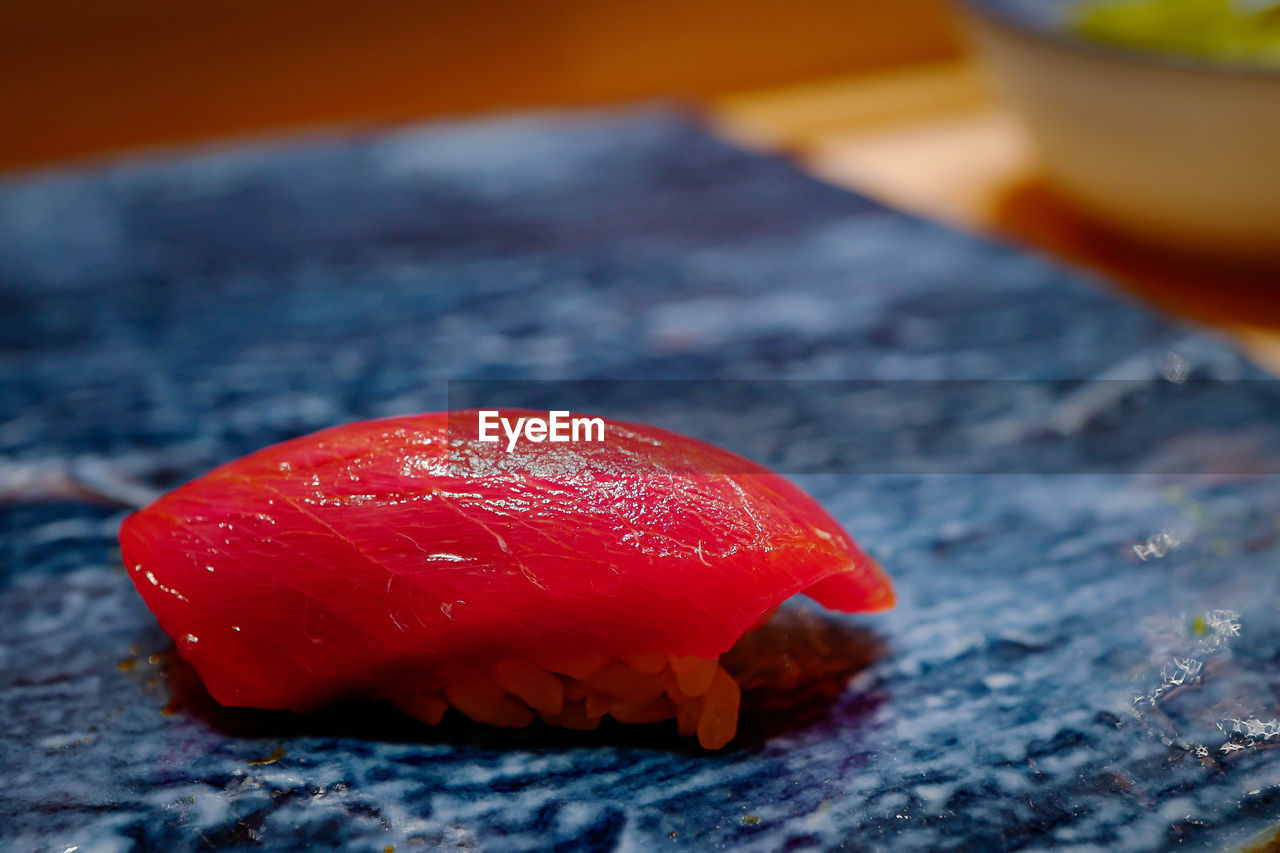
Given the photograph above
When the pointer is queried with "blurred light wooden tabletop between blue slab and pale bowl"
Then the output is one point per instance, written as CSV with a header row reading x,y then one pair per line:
x,y
935,142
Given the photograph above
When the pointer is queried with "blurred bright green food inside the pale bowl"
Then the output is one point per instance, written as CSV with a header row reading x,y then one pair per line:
x,y
1231,31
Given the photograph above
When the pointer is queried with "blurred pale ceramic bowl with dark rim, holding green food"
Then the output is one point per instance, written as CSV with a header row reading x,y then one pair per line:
x,y
1177,152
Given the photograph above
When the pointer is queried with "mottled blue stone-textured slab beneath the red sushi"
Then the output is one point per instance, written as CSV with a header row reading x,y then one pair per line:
x,y
159,318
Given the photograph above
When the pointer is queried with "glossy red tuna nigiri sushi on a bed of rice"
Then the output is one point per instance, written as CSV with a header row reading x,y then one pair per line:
x,y
408,560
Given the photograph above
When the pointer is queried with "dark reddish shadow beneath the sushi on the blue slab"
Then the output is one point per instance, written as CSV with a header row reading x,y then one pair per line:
x,y
793,672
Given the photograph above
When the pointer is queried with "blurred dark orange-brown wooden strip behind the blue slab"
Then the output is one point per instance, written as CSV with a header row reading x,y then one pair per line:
x,y
80,77
